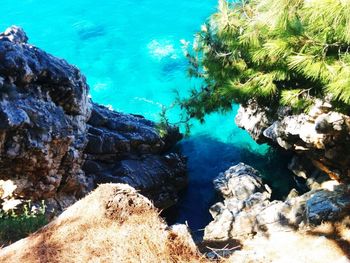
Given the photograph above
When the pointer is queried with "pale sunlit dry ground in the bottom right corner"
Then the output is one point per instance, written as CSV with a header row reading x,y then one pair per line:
x,y
327,243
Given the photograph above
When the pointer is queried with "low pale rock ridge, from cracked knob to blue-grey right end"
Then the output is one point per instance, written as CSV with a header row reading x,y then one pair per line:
x,y
247,209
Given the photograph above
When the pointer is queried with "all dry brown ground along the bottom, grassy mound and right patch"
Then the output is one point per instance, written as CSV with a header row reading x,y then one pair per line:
x,y
116,224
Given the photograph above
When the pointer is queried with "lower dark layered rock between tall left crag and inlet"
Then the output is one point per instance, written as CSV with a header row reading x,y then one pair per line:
x,y
128,149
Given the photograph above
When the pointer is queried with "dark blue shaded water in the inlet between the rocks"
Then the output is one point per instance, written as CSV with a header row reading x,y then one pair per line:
x,y
208,157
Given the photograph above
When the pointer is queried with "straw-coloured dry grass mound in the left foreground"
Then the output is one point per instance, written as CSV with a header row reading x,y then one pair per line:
x,y
112,224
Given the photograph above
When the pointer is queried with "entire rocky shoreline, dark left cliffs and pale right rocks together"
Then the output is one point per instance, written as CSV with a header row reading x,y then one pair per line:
x,y
57,145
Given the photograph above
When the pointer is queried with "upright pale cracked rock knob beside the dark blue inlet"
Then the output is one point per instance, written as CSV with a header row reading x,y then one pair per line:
x,y
245,196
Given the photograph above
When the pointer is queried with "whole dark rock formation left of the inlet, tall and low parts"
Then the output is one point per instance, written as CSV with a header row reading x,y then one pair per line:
x,y
45,126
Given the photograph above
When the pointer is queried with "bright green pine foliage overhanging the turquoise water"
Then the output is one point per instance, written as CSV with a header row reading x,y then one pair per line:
x,y
275,51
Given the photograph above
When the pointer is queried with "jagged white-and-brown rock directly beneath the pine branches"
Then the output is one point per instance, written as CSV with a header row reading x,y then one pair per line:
x,y
320,137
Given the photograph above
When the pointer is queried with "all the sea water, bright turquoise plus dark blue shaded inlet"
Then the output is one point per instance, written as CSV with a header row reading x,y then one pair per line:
x,y
131,53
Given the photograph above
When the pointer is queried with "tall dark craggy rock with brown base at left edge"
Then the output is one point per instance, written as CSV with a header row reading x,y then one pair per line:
x,y
44,108
